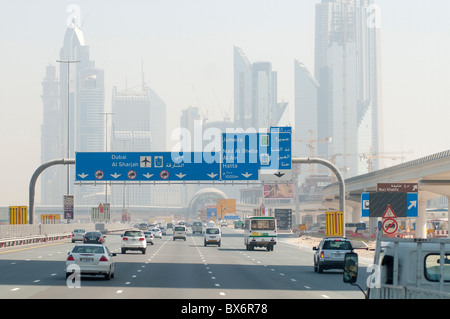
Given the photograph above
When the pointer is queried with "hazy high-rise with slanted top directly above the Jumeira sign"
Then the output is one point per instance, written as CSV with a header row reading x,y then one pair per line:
x,y
255,94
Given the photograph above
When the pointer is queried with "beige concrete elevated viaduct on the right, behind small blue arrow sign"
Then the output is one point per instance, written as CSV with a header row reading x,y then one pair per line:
x,y
431,173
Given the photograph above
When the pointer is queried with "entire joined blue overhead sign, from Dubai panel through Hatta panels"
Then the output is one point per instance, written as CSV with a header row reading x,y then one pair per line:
x,y
243,157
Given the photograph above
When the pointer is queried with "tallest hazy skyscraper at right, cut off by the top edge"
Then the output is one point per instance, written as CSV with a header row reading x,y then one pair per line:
x,y
347,69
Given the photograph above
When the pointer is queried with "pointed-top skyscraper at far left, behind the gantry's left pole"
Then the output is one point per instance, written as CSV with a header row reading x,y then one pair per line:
x,y
73,117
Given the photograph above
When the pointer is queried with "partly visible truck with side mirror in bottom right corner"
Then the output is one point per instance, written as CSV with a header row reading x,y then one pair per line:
x,y
405,268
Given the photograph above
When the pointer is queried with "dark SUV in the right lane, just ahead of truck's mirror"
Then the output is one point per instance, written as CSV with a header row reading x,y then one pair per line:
x,y
330,253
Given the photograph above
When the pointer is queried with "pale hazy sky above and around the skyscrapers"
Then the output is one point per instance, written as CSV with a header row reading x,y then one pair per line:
x,y
187,50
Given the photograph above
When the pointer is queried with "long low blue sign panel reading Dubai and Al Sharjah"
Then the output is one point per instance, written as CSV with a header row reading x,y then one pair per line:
x,y
146,166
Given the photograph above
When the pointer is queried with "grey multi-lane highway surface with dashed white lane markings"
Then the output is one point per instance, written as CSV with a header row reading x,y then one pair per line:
x,y
176,270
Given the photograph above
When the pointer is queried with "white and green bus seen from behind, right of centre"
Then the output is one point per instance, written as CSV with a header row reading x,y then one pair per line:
x,y
260,231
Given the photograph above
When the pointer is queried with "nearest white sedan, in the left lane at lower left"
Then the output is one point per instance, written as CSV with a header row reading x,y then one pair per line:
x,y
90,259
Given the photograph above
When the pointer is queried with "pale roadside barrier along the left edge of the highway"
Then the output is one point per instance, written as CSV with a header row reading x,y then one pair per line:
x,y
12,235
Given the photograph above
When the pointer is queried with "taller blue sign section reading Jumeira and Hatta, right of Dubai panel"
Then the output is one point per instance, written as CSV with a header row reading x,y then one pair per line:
x,y
245,156
